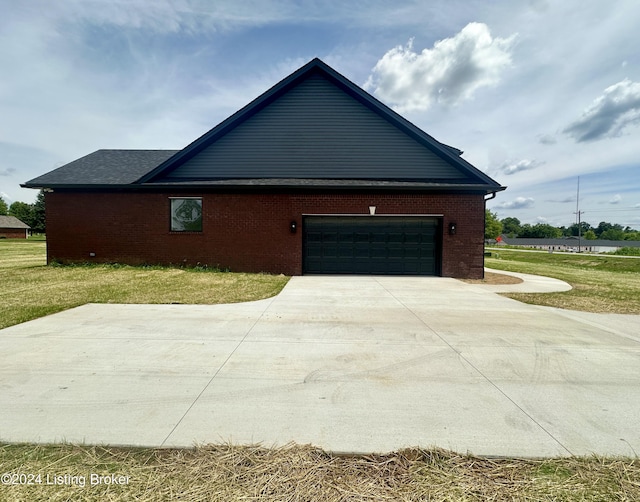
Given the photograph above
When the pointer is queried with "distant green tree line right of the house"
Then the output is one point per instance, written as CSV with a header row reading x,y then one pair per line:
x,y
512,227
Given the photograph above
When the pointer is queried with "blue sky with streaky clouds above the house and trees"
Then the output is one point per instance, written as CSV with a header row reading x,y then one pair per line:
x,y
536,93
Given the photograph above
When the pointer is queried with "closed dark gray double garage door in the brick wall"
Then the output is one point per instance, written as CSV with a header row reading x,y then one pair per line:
x,y
371,245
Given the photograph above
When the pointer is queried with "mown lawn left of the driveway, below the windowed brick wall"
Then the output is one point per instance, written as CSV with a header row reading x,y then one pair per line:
x,y
31,289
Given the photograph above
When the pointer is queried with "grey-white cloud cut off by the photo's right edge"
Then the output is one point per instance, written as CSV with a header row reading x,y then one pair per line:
x,y
609,114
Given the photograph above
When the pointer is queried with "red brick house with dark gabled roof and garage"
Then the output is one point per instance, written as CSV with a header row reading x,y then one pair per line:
x,y
313,176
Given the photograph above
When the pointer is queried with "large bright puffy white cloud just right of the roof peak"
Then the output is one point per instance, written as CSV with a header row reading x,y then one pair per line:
x,y
449,73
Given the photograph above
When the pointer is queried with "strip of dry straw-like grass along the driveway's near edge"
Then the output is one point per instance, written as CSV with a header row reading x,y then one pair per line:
x,y
297,473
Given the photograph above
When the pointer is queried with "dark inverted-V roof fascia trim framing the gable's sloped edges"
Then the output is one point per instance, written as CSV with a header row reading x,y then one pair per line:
x,y
446,152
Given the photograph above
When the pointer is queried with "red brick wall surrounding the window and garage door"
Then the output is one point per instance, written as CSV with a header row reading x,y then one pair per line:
x,y
243,232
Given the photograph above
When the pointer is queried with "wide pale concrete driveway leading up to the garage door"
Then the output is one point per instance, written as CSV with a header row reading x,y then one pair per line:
x,y
350,364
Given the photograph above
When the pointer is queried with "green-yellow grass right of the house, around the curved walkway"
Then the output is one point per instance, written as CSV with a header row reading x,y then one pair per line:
x,y
601,283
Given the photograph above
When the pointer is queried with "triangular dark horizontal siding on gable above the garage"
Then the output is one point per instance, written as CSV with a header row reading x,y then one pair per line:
x,y
316,131
